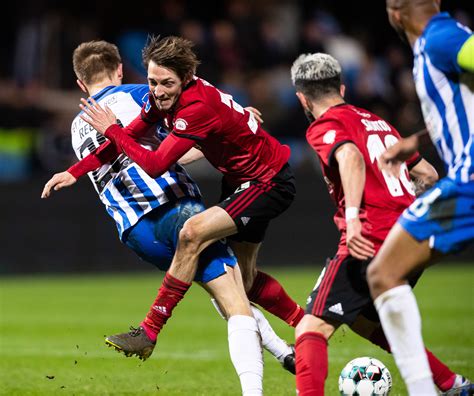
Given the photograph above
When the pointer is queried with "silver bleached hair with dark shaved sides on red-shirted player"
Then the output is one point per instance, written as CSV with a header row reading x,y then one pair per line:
x,y
316,75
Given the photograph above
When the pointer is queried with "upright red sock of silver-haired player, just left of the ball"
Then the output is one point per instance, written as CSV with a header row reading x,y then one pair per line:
x,y
311,364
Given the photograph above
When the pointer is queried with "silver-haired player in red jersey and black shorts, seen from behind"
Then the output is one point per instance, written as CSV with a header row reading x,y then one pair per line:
x,y
348,140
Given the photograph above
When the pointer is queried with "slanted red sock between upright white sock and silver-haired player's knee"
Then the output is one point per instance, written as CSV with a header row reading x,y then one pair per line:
x,y
269,294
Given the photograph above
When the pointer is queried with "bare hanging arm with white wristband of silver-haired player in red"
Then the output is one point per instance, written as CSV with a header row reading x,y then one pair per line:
x,y
352,171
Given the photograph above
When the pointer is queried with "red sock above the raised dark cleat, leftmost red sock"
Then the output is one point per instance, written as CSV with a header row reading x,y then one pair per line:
x,y
171,292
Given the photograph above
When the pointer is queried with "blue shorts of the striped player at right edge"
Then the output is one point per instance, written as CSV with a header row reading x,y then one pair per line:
x,y
444,215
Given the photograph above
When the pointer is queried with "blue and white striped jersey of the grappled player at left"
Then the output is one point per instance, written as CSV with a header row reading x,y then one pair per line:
x,y
123,187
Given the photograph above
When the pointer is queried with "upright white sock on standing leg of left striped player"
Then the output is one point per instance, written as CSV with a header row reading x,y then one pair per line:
x,y
246,353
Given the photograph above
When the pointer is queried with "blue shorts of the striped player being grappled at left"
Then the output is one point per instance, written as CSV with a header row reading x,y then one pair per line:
x,y
155,237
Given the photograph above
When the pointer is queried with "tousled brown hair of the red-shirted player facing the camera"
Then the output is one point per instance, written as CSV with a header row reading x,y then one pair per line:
x,y
174,53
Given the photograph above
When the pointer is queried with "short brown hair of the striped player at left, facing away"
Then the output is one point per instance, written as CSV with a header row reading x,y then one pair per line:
x,y
94,60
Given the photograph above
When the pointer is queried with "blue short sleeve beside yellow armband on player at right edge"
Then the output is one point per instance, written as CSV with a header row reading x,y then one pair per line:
x,y
443,46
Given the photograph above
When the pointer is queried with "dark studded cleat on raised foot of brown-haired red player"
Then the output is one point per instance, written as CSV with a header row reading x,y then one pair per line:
x,y
135,342
